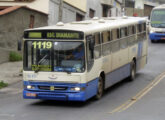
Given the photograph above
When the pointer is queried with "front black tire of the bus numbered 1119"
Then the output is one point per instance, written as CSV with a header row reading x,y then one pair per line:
x,y
100,89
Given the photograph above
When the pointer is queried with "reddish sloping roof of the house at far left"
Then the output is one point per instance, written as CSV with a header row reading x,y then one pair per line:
x,y
13,8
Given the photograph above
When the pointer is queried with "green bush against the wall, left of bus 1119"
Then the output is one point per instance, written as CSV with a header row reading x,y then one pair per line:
x,y
14,56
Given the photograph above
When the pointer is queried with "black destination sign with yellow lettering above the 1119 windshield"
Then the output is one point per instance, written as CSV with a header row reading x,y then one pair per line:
x,y
53,35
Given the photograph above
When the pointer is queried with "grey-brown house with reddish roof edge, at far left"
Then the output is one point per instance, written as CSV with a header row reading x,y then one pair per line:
x,y
13,21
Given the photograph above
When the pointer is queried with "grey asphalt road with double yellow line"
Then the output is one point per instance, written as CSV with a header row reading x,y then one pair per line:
x,y
142,99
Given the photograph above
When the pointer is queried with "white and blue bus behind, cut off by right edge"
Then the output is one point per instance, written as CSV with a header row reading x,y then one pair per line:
x,y
157,24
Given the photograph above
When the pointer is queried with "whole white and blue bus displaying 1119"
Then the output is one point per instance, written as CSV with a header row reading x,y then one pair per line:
x,y
79,60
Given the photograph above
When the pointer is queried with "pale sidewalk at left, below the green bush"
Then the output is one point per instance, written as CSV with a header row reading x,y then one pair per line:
x,y
10,72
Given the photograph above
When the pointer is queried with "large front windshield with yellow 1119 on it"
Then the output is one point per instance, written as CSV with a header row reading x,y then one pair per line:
x,y
54,56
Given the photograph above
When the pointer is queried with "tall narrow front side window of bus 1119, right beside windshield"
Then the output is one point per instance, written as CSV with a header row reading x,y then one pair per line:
x,y
90,59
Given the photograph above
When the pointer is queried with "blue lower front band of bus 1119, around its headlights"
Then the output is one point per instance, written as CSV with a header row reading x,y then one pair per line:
x,y
64,95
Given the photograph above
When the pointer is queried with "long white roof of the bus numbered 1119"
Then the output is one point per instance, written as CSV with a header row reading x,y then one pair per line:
x,y
94,24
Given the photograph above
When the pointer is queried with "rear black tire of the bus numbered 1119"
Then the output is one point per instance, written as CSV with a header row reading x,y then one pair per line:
x,y
132,71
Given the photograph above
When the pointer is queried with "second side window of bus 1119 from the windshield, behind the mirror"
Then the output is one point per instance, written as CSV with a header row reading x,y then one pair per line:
x,y
97,48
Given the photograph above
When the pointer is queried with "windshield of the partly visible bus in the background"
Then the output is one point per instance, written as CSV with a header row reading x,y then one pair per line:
x,y
158,18
